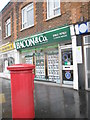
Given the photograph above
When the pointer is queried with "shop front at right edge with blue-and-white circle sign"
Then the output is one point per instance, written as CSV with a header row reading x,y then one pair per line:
x,y
82,31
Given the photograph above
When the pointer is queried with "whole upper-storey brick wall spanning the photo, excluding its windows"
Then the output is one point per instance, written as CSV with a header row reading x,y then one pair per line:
x,y
71,13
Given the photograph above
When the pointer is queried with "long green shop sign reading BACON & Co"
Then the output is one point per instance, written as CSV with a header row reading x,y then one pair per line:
x,y
48,37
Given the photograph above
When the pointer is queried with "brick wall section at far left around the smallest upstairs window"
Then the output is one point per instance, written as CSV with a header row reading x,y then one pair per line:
x,y
8,12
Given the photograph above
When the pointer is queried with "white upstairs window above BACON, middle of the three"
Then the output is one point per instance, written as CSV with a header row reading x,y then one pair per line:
x,y
28,16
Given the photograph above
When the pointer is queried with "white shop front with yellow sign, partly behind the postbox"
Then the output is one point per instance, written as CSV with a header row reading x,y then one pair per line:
x,y
7,58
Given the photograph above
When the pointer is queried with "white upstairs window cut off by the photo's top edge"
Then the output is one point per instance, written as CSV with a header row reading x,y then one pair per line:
x,y
53,8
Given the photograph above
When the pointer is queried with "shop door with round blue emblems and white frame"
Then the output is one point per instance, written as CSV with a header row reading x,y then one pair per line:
x,y
66,65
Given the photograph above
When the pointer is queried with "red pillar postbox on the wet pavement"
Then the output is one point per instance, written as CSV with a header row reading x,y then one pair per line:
x,y
22,81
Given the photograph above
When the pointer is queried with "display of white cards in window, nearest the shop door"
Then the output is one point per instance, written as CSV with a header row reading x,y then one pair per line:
x,y
53,67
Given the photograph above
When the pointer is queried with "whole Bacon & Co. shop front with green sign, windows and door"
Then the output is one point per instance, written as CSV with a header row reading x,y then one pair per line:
x,y
51,52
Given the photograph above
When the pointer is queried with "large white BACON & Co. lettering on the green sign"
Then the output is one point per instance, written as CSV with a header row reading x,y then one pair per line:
x,y
31,42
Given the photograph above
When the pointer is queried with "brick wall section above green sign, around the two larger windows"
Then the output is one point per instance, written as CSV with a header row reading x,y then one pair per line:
x,y
71,13
